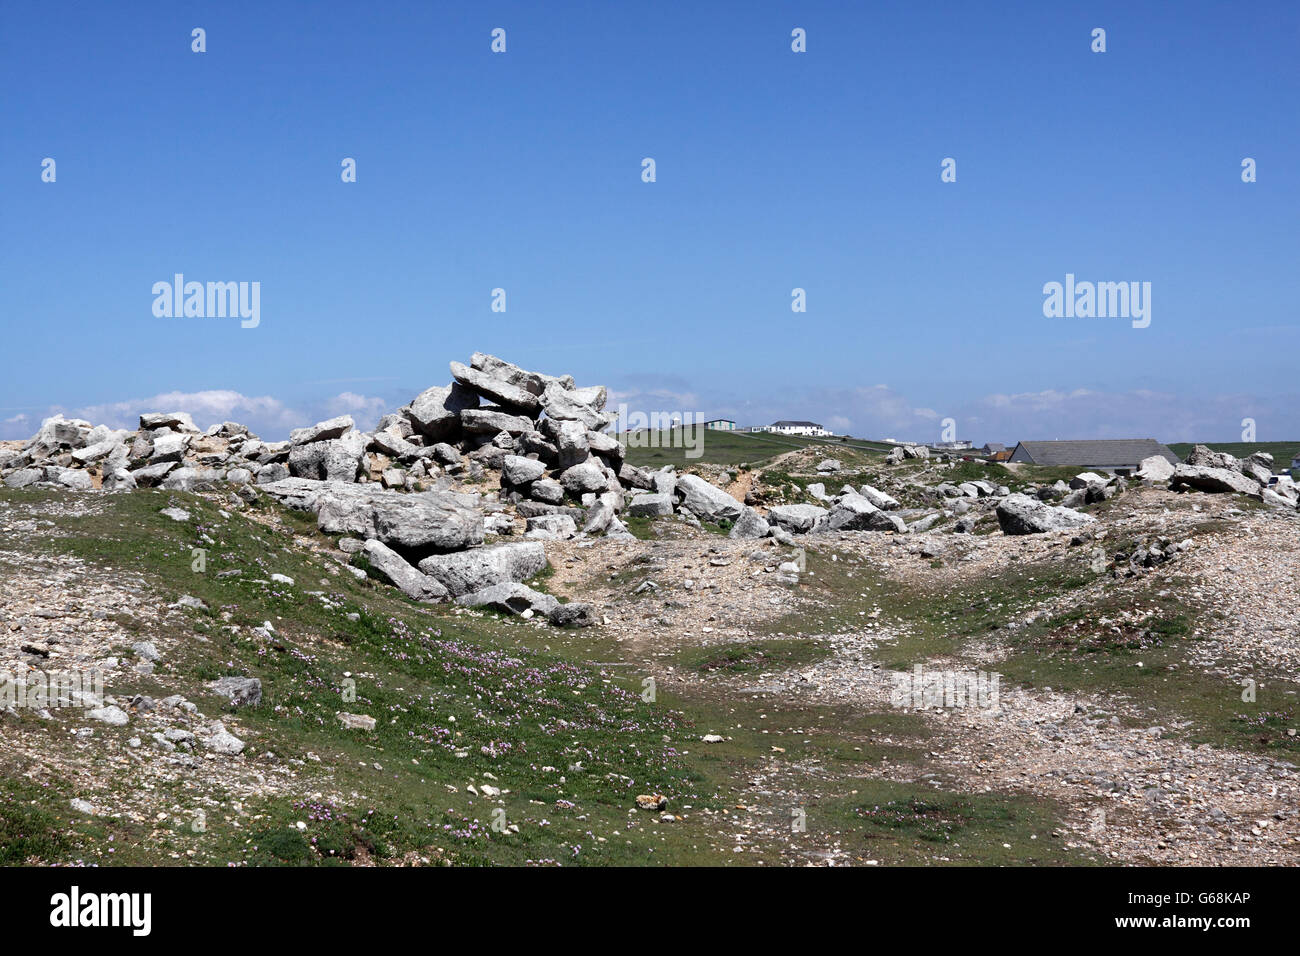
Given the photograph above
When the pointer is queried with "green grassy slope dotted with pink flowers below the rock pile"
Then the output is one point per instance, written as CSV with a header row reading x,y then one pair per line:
x,y
456,698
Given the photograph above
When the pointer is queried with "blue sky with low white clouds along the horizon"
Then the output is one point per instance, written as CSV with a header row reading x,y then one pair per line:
x,y
774,171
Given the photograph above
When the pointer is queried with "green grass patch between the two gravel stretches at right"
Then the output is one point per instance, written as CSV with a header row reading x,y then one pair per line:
x,y
1072,651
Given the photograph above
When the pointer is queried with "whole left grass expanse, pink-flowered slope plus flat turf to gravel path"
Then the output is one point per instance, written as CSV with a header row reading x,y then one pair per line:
x,y
557,720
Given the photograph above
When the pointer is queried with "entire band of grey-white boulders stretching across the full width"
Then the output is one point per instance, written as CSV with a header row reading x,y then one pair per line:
x,y
417,504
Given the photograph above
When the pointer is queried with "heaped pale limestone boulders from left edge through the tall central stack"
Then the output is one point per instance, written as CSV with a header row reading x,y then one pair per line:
x,y
419,496
